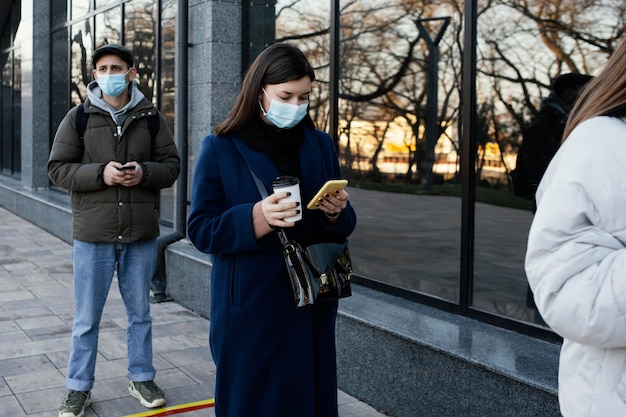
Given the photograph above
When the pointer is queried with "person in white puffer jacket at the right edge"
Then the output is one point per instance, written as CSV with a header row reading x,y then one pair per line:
x,y
576,256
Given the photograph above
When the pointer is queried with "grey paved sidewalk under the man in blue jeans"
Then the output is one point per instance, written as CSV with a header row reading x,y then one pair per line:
x,y
36,311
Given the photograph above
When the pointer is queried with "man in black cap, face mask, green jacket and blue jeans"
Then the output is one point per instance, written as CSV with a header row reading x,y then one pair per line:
x,y
113,170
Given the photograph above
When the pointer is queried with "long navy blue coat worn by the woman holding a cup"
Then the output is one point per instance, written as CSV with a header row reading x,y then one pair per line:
x,y
272,359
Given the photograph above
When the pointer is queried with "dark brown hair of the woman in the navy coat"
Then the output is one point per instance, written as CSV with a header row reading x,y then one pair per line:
x,y
278,63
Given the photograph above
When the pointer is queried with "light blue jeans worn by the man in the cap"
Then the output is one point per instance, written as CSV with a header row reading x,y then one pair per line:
x,y
94,267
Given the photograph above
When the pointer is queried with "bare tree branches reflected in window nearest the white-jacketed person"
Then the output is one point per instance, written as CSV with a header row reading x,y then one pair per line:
x,y
526,44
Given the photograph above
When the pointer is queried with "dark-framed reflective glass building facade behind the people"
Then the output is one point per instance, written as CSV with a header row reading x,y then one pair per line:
x,y
391,88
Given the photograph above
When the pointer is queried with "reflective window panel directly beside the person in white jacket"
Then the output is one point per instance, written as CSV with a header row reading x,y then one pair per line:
x,y
522,48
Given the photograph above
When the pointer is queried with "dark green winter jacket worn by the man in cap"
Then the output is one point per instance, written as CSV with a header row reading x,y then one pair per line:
x,y
103,213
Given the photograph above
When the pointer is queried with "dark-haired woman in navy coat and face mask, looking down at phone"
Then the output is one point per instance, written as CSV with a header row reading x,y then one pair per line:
x,y
271,358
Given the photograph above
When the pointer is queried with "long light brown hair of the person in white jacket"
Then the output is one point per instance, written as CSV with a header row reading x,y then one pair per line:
x,y
604,93
